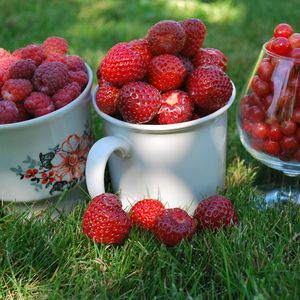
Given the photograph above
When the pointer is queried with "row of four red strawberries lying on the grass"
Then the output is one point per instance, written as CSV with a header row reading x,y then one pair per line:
x,y
104,220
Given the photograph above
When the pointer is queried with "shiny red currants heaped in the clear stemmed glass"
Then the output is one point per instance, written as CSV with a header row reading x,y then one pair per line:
x,y
270,112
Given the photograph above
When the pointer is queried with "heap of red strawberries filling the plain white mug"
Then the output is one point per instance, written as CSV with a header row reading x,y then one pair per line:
x,y
165,77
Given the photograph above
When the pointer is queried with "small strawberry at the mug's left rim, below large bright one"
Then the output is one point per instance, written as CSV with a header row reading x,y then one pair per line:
x,y
107,98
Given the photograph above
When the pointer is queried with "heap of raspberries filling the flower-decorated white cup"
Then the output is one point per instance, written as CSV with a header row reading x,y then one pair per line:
x,y
36,80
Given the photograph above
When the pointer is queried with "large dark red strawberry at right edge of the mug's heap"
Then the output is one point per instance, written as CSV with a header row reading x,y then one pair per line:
x,y
209,87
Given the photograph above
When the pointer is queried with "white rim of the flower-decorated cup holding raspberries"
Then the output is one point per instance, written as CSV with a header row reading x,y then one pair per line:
x,y
55,114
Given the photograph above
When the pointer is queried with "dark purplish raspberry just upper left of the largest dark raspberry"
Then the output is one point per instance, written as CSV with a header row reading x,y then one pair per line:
x,y
22,69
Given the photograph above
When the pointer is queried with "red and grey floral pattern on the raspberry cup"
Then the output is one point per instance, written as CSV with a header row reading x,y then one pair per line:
x,y
61,167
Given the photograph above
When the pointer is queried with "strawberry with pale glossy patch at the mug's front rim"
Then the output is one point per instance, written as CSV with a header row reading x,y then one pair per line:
x,y
176,107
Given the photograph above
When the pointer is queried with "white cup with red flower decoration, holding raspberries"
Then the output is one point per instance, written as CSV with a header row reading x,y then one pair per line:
x,y
42,157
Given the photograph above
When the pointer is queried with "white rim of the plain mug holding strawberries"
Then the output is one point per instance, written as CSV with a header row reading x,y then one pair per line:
x,y
167,127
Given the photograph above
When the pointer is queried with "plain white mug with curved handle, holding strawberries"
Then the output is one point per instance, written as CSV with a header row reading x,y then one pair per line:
x,y
178,163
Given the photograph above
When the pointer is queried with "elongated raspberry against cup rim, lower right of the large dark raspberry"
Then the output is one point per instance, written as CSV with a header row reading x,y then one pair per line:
x,y
66,95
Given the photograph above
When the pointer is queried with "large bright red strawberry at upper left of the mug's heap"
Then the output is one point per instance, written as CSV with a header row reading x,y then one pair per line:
x,y
122,64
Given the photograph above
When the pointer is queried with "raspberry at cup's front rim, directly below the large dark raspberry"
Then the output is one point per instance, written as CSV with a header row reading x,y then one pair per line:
x,y
38,104
